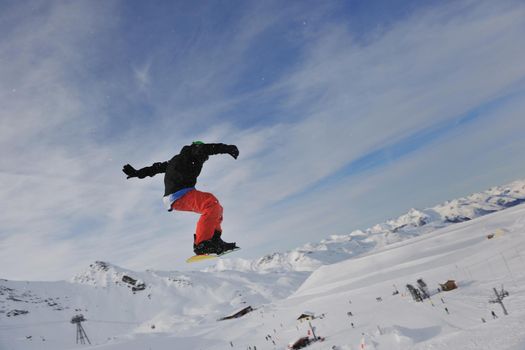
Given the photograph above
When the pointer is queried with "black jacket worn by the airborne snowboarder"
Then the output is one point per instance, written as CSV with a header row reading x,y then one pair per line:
x,y
182,170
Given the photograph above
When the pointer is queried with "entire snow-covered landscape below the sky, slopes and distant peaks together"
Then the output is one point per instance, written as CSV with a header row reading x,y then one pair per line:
x,y
352,299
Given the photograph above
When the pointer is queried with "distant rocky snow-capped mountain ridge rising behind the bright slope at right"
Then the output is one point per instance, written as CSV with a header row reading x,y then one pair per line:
x,y
414,223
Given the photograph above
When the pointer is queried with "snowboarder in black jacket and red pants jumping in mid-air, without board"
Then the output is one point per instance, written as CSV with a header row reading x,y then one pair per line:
x,y
180,177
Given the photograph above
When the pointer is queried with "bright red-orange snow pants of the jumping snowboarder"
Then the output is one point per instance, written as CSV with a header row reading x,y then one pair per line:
x,y
205,204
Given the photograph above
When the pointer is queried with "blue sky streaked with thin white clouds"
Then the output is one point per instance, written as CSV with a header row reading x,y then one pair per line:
x,y
346,113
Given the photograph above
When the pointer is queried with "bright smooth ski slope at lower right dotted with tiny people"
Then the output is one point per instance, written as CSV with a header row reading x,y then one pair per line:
x,y
461,252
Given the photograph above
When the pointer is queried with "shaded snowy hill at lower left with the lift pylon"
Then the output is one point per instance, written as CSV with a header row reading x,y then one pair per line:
x,y
36,315
